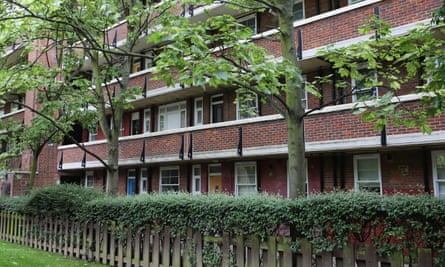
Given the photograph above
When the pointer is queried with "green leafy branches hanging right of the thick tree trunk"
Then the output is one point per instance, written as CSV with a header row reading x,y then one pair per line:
x,y
392,63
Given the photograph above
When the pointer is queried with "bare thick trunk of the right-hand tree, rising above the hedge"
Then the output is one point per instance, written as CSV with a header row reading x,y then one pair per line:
x,y
294,87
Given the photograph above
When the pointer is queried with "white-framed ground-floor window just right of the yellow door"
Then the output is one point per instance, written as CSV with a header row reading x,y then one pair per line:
x,y
245,178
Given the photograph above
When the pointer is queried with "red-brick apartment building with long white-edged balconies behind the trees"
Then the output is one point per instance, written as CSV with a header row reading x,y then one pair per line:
x,y
185,139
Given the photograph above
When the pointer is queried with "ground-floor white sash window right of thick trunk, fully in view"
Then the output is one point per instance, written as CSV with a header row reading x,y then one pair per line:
x,y
367,174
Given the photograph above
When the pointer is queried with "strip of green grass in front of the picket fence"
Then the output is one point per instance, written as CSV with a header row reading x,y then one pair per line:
x,y
12,255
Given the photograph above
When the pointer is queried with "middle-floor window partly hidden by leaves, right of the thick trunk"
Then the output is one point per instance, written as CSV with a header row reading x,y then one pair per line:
x,y
361,87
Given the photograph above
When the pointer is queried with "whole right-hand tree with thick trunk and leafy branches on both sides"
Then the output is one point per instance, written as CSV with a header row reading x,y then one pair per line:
x,y
221,52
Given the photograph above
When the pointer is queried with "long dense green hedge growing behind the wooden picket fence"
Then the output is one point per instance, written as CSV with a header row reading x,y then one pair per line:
x,y
328,221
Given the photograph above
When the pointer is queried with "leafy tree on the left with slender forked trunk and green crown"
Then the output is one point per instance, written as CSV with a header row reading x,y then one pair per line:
x,y
67,36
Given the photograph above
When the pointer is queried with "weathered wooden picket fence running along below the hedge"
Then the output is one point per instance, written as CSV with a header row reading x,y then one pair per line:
x,y
152,247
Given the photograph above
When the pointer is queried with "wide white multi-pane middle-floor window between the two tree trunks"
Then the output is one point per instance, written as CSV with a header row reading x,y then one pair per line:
x,y
172,116
